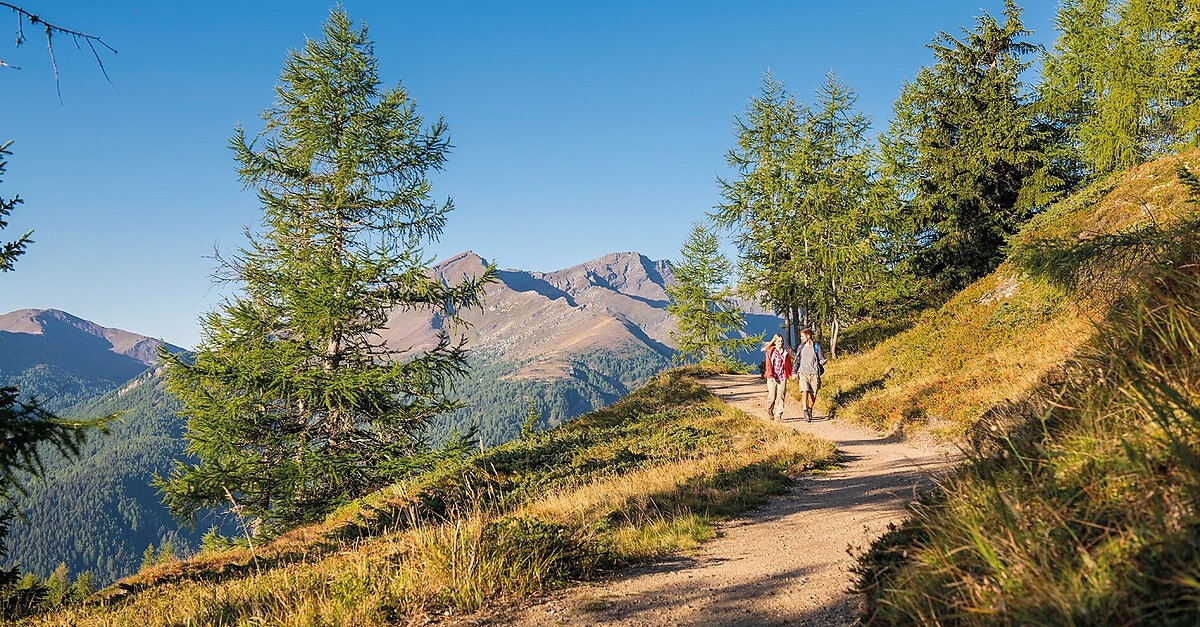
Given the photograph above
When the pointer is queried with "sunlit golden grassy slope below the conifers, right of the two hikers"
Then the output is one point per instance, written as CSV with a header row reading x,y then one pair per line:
x,y
1001,338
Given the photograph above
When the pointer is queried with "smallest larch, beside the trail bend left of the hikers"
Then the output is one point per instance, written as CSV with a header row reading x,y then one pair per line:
x,y
709,319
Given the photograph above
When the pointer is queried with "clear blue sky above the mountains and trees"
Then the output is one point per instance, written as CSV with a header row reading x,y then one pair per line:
x,y
580,129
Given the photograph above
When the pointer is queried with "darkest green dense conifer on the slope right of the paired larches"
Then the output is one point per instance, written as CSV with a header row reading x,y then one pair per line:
x,y
969,153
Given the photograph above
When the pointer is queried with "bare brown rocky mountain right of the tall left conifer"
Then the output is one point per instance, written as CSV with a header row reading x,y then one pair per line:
x,y
571,341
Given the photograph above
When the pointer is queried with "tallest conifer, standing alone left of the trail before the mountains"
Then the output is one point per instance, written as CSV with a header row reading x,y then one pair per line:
x,y
293,402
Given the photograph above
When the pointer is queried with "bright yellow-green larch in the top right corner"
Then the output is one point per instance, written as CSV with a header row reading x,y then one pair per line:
x,y
1125,77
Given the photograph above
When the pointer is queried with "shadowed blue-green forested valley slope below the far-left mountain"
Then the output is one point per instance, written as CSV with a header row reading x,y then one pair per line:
x,y
99,513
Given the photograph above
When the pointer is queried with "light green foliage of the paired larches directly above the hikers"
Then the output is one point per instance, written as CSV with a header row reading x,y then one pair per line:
x,y
806,210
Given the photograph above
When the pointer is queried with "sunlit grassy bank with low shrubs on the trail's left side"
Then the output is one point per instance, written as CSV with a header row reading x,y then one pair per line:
x,y
643,479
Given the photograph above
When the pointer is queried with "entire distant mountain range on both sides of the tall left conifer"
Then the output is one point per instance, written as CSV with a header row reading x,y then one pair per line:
x,y
568,342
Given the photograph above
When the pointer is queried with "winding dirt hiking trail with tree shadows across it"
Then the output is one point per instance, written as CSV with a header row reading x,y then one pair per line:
x,y
785,564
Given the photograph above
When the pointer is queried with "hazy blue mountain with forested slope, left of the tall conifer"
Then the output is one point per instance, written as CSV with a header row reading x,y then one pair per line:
x,y
98,513
